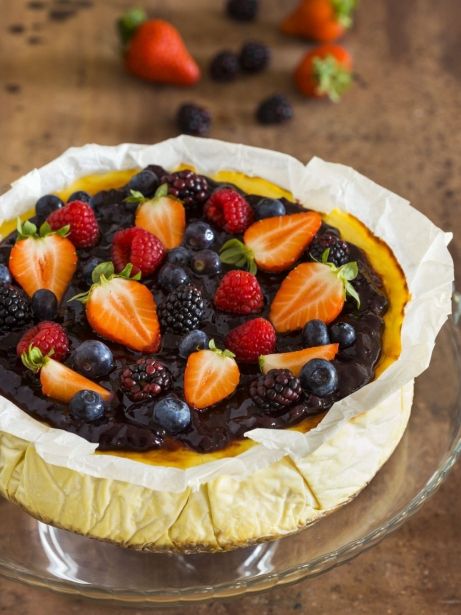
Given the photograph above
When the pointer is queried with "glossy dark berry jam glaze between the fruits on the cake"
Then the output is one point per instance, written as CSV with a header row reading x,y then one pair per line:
x,y
128,426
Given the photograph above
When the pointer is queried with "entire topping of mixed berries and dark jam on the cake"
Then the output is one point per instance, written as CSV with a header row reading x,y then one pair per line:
x,y
177,311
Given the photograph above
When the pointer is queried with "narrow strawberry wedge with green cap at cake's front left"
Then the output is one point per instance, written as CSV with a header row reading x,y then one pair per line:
x,y
57,380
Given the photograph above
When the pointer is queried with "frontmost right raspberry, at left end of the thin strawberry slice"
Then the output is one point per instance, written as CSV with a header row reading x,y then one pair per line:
x,y
251,340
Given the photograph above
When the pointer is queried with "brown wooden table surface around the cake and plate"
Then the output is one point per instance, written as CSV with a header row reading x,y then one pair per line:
x,y
62,84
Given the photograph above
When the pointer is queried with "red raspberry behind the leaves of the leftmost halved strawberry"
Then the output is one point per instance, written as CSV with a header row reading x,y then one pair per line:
x,y
84,229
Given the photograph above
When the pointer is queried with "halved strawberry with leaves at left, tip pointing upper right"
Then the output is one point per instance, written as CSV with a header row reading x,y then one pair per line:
x,y
273,244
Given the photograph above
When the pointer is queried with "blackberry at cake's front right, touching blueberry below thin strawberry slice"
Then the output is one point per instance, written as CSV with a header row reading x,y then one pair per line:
x,y
276,390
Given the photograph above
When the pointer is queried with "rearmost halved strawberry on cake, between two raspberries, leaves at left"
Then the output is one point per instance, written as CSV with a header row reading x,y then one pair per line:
x,y
164,216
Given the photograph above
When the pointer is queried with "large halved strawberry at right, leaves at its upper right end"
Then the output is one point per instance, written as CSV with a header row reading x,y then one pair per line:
x,y
312,290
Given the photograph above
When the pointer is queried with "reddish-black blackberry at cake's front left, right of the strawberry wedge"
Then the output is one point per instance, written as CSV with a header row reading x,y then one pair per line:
x,y
145,379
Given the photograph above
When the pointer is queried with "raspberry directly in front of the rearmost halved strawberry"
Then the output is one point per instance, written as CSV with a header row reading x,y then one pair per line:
x,y
138,247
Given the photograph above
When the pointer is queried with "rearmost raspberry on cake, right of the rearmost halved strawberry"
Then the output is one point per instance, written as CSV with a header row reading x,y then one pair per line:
x,y
229,211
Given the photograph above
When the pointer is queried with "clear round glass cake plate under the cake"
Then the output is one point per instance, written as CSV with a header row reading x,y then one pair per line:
x,y
43,556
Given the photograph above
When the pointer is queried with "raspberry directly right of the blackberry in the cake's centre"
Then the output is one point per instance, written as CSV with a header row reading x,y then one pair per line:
x,y
239,293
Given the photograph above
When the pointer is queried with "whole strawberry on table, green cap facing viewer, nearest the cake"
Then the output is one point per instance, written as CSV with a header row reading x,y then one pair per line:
x,y
325,71
